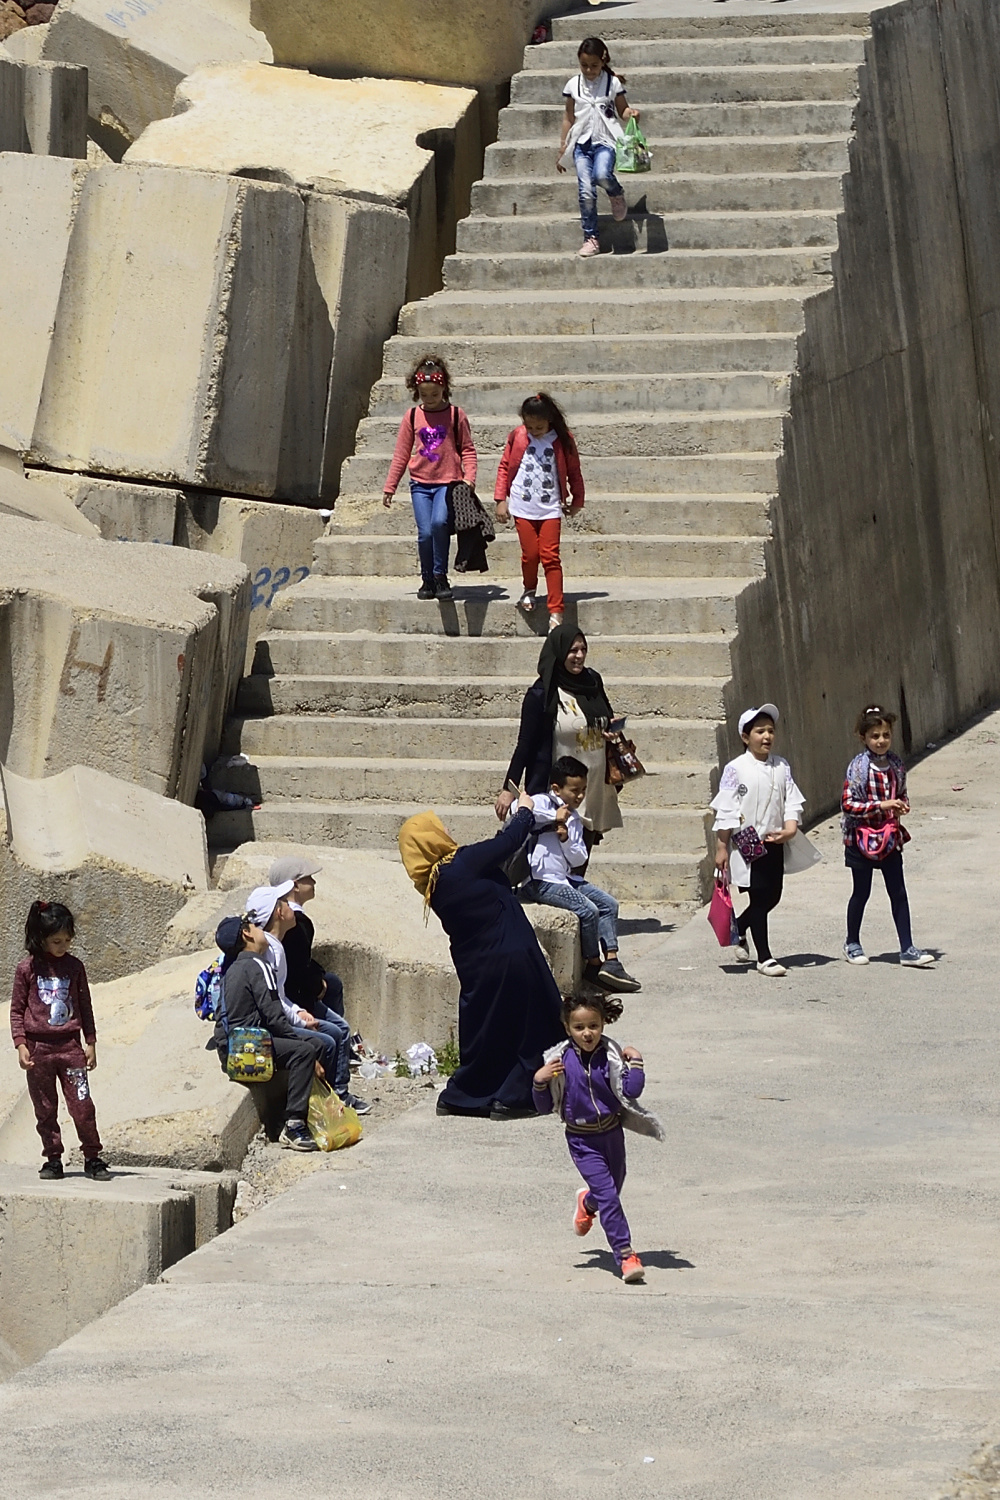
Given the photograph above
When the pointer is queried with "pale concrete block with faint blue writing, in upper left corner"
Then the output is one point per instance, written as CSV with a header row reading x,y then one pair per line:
x,y
137,55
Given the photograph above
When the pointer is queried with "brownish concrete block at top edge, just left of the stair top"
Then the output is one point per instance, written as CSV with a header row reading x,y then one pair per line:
x,y
478,44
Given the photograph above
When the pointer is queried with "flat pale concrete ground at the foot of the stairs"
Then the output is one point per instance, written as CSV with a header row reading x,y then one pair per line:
x,y
822,1312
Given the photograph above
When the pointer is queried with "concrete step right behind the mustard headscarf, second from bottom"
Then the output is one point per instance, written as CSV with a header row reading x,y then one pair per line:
x,y
376,826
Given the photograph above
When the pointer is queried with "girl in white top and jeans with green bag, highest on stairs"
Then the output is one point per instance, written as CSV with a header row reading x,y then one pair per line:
x,y
596,103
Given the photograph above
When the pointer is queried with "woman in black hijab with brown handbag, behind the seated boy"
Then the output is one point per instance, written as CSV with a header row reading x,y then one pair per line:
x,y
566,712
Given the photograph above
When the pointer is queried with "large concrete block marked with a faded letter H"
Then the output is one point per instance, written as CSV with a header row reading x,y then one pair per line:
x,y
124,661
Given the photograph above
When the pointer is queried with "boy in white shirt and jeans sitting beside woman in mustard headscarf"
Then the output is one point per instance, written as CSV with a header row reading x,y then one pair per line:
x,y
560,850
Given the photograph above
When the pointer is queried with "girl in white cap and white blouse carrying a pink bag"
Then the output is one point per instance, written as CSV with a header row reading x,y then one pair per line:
x,y
758,812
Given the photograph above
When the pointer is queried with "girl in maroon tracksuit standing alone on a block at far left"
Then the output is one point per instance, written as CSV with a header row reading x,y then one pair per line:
x,y
50,1010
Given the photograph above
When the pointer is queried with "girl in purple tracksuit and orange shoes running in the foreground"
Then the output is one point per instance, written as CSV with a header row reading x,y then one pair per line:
x,y
594,1085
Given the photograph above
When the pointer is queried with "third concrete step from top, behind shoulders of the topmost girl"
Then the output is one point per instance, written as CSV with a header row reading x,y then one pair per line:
x,y
711,85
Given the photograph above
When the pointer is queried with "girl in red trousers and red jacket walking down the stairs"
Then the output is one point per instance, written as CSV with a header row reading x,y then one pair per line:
x,y
537,475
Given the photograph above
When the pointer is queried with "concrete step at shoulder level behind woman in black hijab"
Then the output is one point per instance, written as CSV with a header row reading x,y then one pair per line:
x,y
494,698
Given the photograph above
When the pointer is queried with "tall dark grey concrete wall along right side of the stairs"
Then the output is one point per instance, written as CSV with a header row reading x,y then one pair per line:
x,y
882,580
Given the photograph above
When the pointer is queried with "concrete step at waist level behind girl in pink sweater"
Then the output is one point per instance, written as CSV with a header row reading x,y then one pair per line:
x,y
701,473
